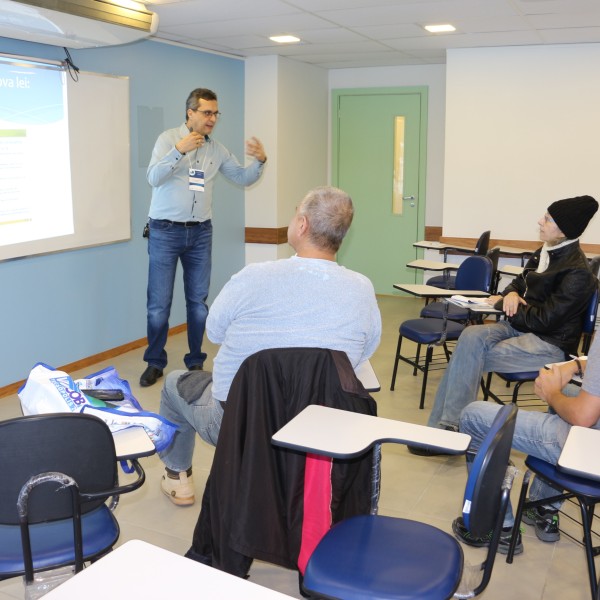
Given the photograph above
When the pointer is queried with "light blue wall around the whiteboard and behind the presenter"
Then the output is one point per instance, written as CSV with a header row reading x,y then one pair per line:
x,y
63,307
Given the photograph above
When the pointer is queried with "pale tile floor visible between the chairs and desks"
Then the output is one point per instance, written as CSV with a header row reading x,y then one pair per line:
x,y
427,489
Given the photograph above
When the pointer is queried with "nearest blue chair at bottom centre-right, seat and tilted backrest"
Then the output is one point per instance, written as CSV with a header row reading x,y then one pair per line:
x,y
383,557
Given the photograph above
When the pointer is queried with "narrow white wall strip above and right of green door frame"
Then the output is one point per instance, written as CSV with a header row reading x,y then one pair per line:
x,y
432,76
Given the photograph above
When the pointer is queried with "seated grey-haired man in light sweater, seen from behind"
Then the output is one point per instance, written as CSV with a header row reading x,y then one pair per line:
x,y
307,300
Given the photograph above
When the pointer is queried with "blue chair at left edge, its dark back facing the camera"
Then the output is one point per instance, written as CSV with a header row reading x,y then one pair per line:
x,y
56,472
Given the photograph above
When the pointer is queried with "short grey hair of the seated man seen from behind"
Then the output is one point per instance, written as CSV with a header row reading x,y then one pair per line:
x,y
329,212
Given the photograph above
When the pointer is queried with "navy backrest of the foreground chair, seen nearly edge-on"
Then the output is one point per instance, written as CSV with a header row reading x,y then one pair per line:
x,y
483,492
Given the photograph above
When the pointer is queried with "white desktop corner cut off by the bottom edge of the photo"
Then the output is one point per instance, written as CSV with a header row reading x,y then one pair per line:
x,y
138,570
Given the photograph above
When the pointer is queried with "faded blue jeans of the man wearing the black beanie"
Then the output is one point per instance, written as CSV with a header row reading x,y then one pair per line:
x,y
484,348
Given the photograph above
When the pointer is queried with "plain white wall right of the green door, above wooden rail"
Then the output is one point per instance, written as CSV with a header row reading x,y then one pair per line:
x,y
522,130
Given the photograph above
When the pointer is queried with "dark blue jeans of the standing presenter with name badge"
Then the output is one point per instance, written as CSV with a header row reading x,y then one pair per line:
x,y
169,243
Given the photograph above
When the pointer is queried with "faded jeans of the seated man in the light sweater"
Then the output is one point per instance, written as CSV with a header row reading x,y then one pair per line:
x,y
203,417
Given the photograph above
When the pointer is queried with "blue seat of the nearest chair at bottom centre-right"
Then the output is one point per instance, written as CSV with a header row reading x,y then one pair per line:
x,y
364,553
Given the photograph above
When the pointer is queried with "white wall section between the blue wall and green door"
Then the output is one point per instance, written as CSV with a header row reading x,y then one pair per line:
x,y
287,107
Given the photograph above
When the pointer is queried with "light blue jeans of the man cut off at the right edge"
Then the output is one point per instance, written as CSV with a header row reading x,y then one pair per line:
x,y
542,435
